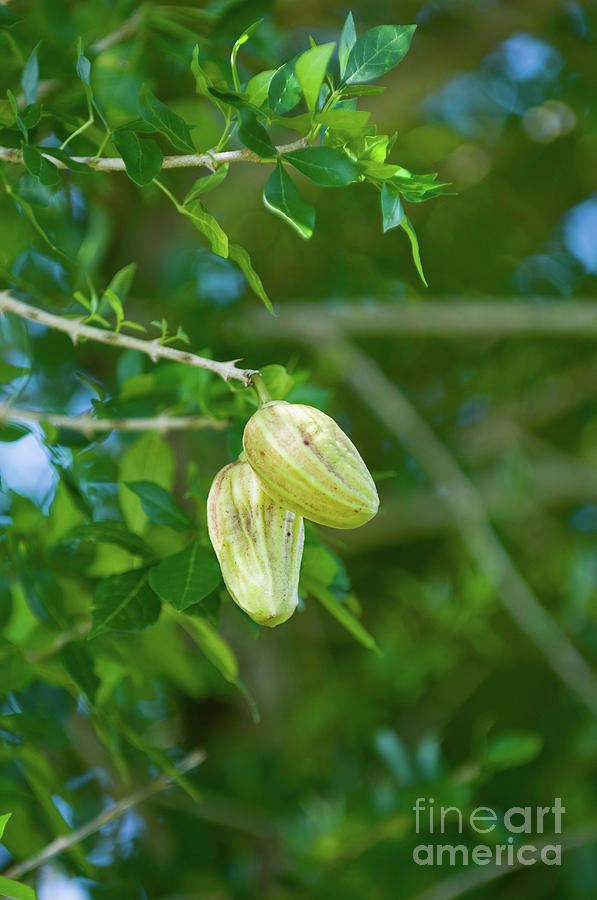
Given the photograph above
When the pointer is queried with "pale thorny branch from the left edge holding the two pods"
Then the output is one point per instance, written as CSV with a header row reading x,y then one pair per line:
x,y
154,349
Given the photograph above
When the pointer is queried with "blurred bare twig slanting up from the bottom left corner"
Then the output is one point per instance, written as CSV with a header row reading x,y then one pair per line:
x,y
65,842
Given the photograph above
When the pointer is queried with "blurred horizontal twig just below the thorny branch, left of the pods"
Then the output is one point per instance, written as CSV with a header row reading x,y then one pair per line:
x,y
88,425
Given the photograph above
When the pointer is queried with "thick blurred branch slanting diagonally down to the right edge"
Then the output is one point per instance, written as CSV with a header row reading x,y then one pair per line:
x,y
465,503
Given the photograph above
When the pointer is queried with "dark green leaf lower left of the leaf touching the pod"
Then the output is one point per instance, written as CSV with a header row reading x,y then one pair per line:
x,y
124,603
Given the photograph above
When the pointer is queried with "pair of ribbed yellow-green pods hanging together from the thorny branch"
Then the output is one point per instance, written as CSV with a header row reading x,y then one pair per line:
x,y
296,463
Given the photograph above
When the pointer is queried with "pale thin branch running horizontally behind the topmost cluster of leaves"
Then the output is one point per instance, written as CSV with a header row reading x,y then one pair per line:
x,y
209,160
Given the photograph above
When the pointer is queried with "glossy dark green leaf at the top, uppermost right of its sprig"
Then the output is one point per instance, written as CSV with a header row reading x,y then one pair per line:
x,y
377,51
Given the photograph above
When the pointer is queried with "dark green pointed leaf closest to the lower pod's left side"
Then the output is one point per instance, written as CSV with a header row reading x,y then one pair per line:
x,y
186,577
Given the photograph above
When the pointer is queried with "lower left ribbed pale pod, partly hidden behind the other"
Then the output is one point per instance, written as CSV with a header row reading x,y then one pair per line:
x,y
259,544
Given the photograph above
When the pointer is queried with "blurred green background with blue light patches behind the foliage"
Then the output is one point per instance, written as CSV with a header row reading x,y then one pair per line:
x,y
463,705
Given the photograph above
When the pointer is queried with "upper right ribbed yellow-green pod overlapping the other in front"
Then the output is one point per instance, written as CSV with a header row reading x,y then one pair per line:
x,y
309,465
